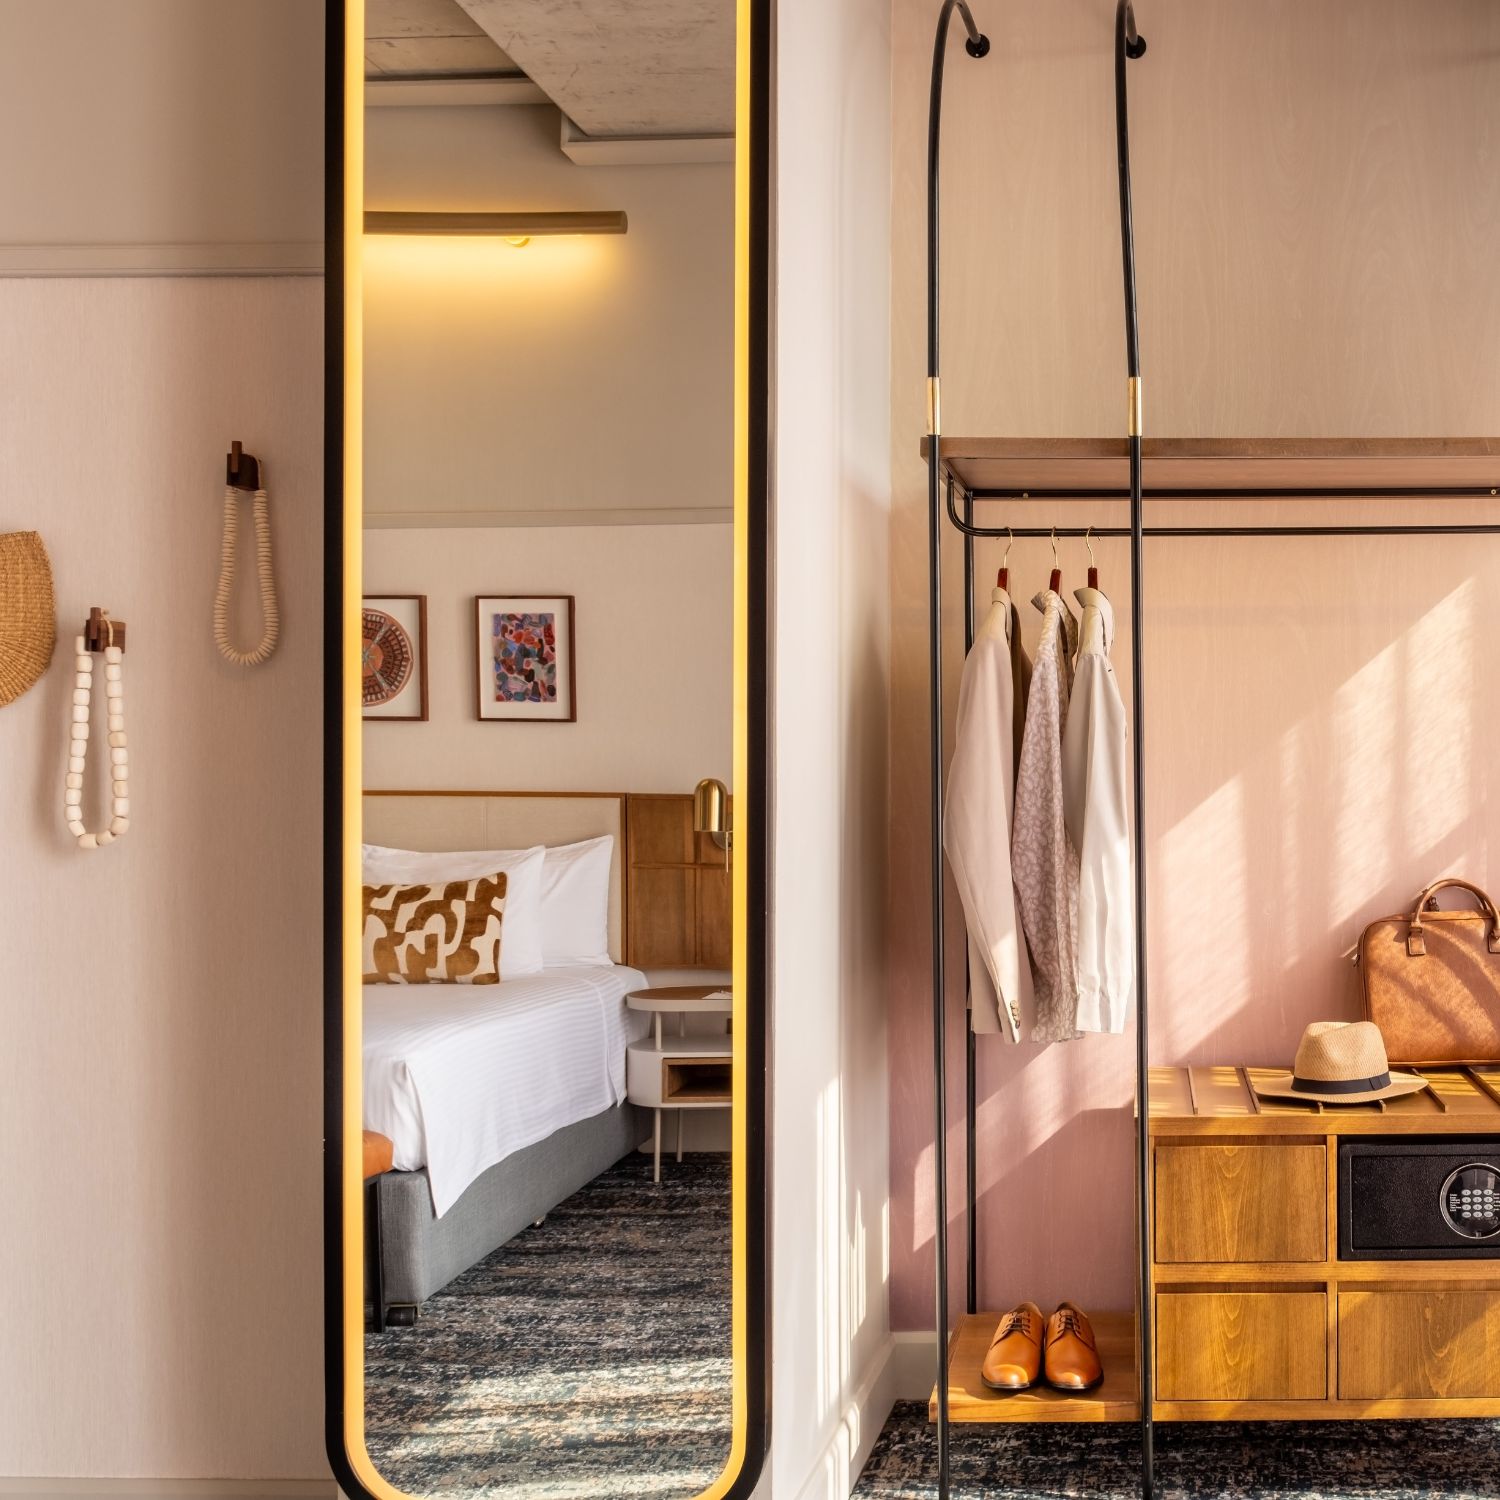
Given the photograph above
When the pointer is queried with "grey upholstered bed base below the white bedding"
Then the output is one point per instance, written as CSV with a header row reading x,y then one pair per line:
x,y
422,1253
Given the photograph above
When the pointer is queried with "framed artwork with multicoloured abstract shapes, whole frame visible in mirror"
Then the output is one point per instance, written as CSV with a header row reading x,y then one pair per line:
x,y
524,658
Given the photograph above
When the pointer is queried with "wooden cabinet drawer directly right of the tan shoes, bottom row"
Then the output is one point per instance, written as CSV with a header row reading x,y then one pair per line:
x,y
1241,1346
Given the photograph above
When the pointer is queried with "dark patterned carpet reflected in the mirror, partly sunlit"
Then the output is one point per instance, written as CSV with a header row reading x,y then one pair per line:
x,y
590,1357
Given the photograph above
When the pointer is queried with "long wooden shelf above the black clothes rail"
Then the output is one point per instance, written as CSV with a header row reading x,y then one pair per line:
x,y
1222,463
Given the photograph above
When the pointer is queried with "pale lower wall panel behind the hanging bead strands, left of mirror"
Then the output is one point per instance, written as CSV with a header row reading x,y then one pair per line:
x,y
161,1000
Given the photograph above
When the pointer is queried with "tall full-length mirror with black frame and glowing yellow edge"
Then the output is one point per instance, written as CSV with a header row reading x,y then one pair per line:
x,y
550,1156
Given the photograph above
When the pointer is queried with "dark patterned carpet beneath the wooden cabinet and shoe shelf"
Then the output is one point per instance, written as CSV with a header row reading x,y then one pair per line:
x,y
1240,1462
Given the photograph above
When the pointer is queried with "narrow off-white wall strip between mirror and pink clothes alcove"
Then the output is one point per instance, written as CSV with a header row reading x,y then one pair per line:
x,y
833,1369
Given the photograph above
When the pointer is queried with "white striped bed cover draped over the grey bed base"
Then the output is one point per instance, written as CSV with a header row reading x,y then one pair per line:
x,y
461,1076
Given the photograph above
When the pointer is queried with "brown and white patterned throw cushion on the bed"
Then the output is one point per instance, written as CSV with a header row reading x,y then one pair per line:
x,y
434,934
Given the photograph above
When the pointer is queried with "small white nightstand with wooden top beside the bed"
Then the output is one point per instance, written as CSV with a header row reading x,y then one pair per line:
x,y
680,1073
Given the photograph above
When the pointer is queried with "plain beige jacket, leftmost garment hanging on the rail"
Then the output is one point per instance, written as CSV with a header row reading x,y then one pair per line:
x,y
977,829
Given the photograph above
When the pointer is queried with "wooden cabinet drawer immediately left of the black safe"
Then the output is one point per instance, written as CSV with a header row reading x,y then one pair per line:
x,y
1241,1204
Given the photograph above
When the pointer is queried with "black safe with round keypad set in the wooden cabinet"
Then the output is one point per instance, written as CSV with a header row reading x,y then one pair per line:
x,y
1426,1199
